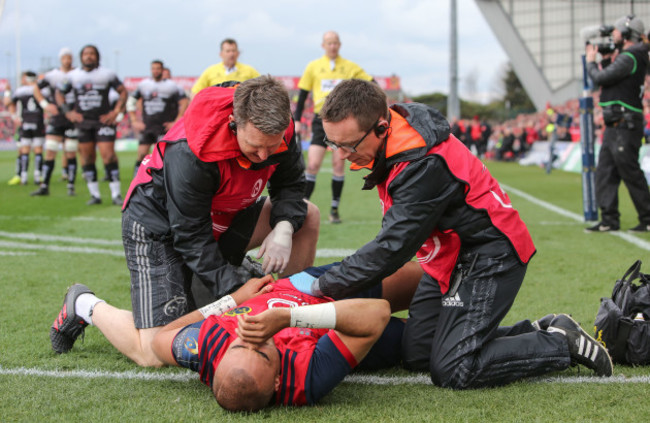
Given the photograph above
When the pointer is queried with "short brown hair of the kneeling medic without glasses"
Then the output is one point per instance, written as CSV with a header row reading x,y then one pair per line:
x,y
264,102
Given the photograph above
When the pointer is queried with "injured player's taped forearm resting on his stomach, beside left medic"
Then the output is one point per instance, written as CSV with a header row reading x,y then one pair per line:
x,y
165,337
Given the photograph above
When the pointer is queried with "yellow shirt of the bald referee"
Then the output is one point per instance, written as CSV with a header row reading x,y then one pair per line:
x,y
320,78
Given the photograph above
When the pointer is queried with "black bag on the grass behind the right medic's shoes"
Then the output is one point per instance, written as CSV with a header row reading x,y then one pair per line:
x,y
623,321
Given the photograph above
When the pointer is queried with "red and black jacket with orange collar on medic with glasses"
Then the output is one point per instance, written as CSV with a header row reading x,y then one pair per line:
x,y
437,198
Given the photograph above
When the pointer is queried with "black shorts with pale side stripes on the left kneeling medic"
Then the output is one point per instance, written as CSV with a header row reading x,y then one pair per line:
x,y
160,280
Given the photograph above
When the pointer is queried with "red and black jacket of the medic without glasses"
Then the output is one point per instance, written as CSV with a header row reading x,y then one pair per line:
x,y
196,180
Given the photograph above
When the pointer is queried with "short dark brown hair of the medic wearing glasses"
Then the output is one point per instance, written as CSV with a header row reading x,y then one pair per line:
x,y
363,100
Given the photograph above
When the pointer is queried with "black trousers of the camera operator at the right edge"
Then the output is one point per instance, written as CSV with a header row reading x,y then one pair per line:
x,y
619,160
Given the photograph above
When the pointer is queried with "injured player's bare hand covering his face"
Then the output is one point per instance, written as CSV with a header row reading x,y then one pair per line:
x,y
257,329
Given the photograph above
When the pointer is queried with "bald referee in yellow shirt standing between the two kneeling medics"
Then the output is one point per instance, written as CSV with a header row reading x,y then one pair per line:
x,y
320,77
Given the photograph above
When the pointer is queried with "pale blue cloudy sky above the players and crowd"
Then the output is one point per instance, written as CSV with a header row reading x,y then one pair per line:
x,y
409,38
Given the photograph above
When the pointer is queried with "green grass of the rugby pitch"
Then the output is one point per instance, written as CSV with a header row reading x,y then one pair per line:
x,y
569,273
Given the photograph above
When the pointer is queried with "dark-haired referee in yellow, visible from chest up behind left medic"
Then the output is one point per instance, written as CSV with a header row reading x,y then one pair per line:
x,y
228,70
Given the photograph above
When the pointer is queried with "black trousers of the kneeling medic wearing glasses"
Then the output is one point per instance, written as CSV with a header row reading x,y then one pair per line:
x,y
458,338
